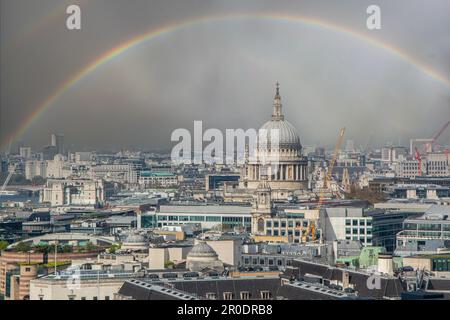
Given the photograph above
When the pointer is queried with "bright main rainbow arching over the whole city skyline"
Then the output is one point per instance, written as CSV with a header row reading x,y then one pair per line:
x,y
172,27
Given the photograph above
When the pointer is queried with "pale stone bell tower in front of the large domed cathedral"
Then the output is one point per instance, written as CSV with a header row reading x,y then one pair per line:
x,y
262,206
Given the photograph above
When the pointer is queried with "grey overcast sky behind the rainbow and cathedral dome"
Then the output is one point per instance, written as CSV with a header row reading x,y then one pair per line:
x,y
224,72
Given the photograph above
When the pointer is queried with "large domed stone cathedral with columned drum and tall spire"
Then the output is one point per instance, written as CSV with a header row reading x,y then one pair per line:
x,y
288,172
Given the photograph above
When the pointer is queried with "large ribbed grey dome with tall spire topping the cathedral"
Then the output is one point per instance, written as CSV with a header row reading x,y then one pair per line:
x,y
288,136
